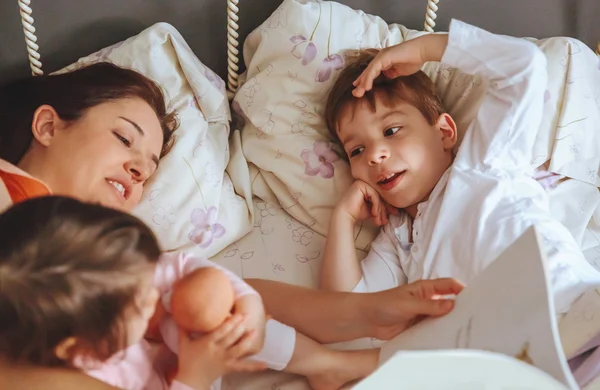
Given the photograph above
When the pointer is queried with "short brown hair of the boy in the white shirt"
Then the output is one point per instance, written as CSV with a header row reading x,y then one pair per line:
x,y
417,90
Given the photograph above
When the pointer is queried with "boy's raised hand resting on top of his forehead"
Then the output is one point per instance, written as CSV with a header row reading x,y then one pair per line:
x,y
401,60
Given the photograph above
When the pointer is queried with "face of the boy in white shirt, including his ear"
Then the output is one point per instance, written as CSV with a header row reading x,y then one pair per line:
x,y
395,150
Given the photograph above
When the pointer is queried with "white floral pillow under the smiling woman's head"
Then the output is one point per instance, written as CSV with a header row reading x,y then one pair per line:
x,y
190,202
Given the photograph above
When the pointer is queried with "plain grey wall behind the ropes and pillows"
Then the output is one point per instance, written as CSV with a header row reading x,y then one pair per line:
x,y
69,29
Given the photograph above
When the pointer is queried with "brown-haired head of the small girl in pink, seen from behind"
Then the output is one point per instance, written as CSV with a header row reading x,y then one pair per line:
x,y
75,281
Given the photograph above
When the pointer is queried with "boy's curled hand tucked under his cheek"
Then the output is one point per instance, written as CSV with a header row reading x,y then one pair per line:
x,y
361,202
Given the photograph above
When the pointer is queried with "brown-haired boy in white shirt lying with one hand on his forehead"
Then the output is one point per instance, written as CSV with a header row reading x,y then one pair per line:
x,y
456,213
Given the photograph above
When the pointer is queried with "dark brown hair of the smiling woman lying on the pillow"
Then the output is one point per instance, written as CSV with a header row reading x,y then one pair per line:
x,y
71,94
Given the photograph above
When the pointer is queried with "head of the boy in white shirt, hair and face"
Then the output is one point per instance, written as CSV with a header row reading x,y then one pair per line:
x,y
398,137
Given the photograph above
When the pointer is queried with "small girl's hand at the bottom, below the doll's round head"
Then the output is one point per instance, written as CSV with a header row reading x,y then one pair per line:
x,y
204,359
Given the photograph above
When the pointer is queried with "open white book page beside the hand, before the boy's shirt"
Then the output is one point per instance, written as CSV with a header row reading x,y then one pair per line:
x,y
506,309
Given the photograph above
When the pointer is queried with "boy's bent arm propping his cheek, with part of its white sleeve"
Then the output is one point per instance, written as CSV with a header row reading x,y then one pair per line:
x,y
341,270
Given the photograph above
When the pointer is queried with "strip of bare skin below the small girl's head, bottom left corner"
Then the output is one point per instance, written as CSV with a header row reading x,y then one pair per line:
x,y
26,378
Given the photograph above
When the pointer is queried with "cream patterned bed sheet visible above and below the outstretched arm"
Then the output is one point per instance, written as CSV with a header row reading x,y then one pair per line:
x,y
278,248
